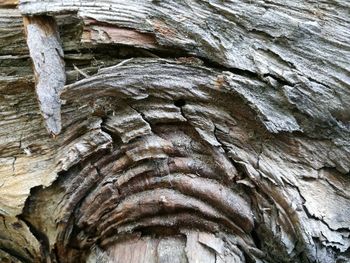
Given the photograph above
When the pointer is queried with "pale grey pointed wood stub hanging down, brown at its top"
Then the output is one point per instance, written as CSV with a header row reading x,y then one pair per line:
x,y
49,68
